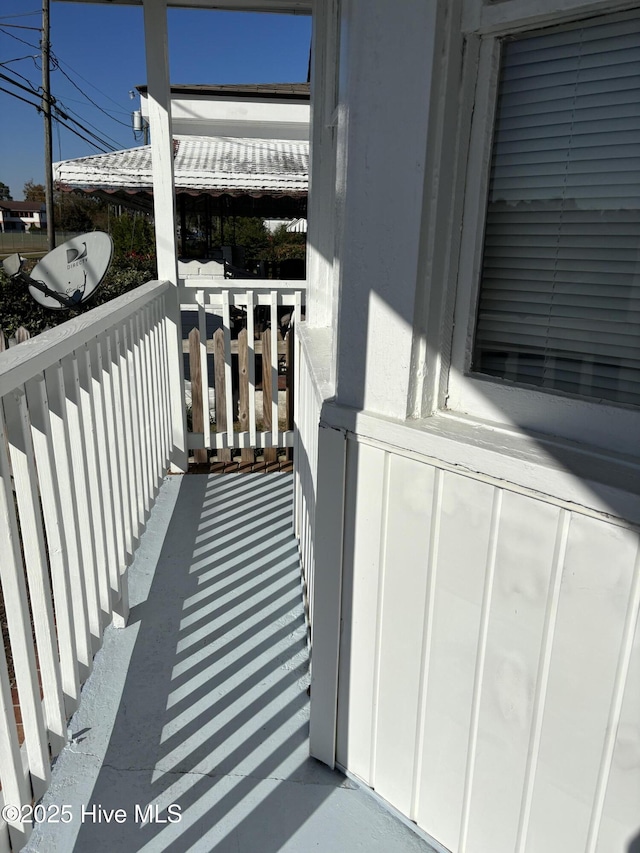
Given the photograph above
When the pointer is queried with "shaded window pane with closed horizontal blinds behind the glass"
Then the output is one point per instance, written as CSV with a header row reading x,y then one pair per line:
x,y
559,303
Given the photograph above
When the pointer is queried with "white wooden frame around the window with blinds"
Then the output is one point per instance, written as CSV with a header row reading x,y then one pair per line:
x,y
605,424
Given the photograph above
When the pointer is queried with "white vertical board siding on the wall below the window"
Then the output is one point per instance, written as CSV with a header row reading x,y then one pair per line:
x,y
489,680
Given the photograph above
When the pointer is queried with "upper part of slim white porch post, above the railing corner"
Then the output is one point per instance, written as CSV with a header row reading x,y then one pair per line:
x,y
159,98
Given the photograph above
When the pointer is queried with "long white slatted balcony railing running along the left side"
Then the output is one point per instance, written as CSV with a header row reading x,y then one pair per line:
x,y
91,416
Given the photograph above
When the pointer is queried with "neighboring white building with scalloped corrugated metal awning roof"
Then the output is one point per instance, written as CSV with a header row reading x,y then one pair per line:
x,y
239,151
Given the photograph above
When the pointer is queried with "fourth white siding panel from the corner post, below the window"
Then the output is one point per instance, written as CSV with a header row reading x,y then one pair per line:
x,y
523,569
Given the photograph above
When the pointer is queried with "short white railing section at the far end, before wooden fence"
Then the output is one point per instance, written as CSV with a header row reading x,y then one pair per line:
x,y
240,355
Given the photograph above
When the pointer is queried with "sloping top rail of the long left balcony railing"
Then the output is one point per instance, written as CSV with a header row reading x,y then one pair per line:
x,y
21,363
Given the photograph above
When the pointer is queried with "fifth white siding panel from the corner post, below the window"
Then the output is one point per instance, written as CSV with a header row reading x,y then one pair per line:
x,y
595,590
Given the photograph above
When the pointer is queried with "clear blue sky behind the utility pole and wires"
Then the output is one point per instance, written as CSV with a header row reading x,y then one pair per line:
x,y
99,50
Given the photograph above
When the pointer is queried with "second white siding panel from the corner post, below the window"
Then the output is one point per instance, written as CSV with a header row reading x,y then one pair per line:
x,y
404,579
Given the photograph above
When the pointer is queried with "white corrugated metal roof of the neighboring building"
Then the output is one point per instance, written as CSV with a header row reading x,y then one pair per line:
x,y
216,165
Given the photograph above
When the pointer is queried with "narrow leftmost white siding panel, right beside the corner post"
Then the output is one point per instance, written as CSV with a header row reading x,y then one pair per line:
x,y
363,521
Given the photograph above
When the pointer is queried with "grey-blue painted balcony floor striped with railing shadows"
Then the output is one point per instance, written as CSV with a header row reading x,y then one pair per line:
x,y
202,700
